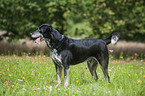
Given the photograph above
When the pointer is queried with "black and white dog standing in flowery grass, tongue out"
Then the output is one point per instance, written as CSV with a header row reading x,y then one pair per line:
x,y
65,51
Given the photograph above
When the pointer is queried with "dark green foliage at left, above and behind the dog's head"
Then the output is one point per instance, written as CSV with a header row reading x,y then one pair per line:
x,y
22,17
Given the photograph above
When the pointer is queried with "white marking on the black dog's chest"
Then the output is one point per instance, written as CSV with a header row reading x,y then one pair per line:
x,y
56,57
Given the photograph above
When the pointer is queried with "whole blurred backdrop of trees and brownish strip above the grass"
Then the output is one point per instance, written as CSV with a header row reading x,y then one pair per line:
x,y
73,18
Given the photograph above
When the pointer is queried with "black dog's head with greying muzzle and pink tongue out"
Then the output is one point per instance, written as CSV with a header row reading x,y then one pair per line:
x,y
43,31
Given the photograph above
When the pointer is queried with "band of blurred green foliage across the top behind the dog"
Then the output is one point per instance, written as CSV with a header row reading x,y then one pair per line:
x,y
104,16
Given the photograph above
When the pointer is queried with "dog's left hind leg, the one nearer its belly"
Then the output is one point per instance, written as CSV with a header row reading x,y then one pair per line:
x,y
92,65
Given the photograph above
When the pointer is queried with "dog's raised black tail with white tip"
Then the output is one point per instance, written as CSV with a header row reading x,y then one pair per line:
x,y
113,38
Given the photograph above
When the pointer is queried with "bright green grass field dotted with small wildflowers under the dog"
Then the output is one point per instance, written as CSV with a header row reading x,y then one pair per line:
x,y
35,76
